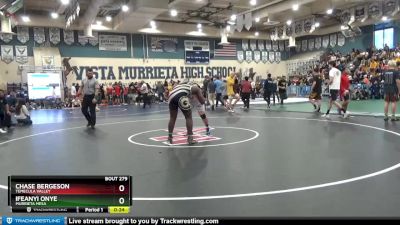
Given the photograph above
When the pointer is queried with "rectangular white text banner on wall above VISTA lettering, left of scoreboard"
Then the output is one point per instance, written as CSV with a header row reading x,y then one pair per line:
x,y
113,43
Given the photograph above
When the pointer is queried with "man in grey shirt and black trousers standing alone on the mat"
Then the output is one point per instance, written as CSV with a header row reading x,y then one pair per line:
x,y
89,88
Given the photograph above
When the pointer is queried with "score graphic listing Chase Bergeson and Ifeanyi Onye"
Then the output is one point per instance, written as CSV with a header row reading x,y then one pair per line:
x,y
114,192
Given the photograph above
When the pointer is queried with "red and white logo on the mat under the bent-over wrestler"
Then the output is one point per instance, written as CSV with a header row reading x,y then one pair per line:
x,y
180,136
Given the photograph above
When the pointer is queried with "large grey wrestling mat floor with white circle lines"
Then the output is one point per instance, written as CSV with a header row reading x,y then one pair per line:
x,y
256,163
